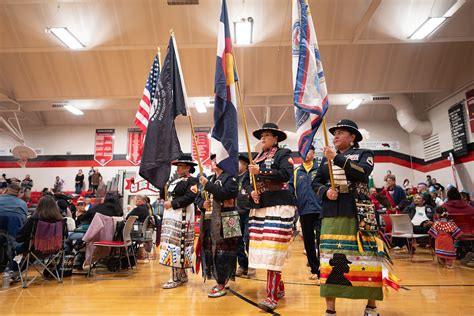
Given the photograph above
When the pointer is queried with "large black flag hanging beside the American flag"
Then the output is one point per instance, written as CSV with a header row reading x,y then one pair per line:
x,y
161,142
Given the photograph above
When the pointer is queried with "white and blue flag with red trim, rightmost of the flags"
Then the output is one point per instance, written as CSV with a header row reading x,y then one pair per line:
x,y
310,95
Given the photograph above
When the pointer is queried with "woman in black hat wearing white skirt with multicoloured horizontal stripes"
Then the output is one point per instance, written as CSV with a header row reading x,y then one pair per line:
x,y
272,204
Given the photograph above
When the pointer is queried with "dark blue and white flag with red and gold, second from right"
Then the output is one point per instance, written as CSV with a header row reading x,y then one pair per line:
x,y
225,131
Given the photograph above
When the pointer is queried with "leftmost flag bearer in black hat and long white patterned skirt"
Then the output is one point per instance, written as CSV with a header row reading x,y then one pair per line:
x,y
178,216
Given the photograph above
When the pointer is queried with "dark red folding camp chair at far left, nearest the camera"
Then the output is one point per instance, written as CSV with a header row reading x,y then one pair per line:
x,y
45,252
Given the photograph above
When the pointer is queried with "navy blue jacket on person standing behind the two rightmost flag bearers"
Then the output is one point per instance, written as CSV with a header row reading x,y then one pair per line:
x,y
306,200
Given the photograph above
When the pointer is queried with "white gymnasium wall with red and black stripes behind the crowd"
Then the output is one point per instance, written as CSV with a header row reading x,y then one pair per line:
x,y
65,149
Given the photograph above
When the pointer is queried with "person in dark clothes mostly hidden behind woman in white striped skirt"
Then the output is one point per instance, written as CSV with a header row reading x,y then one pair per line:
x,y
243,206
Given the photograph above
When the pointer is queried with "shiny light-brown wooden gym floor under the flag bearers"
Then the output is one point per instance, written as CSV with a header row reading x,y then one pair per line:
x,y
428,290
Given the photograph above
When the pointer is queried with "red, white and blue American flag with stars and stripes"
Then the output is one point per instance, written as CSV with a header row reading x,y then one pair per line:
x,y
148,99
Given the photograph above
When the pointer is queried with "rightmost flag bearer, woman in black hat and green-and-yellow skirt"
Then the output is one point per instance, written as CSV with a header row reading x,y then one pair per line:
x,y
351,167
